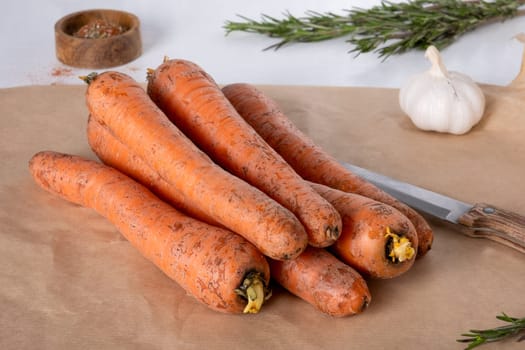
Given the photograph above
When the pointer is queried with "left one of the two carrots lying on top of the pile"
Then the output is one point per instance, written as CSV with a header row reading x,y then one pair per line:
x,y
119,103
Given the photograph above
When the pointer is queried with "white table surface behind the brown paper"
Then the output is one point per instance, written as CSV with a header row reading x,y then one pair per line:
x,y
193,30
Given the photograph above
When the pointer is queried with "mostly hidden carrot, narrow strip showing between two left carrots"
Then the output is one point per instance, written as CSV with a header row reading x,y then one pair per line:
x,y
114,153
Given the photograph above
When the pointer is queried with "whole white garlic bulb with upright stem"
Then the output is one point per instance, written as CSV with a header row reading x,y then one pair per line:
x,y
440,100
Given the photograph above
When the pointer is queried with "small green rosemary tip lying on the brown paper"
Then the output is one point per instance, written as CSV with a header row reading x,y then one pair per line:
x,y
478,337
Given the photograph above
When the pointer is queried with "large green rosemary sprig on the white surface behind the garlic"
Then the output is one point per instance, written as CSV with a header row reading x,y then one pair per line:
x,y
388,28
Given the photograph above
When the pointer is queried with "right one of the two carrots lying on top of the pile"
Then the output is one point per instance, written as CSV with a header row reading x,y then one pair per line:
x,y
194,102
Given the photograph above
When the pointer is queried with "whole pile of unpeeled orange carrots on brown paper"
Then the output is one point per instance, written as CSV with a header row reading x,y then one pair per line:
x,y
224,194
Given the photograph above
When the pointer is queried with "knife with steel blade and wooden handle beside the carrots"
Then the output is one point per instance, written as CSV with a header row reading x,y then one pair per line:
x,y
478,220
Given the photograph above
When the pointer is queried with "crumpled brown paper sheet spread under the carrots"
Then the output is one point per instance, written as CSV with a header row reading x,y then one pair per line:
x,y
68,280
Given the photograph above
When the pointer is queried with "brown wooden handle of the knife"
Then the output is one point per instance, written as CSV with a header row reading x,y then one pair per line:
x,y
487,221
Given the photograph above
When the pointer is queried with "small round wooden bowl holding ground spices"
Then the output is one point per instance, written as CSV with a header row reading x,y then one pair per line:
x,y
100,52
